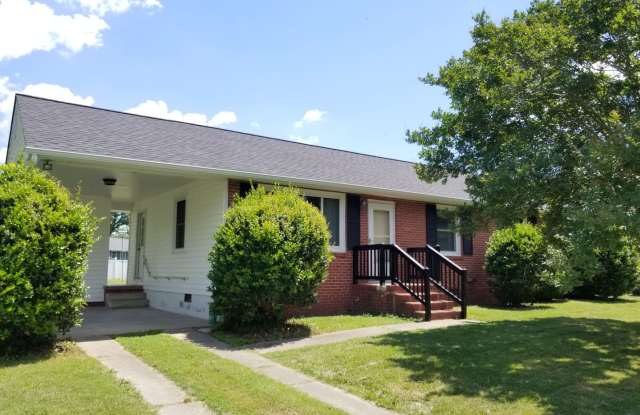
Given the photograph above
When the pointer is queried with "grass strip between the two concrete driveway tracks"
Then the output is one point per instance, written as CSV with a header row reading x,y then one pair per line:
x,y
225,386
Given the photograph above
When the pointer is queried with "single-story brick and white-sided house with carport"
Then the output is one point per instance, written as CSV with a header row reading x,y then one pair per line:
x,y
177,179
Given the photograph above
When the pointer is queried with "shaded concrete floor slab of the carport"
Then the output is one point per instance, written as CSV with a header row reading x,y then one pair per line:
x,y
101,322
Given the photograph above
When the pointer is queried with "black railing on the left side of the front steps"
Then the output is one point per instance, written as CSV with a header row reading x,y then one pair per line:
x,y
384,262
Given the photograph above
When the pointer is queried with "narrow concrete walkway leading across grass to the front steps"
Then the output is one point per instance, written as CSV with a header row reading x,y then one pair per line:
x,y
345,335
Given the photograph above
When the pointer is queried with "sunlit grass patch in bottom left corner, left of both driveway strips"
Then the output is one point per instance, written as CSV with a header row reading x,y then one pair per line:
x,y
64,382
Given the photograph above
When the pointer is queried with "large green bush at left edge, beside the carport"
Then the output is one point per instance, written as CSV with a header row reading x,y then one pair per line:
x,y
45,239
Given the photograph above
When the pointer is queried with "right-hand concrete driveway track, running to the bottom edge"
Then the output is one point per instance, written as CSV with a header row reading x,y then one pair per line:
x,y
330,395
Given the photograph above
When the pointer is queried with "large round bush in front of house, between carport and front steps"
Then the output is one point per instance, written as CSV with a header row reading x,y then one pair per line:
x,y
271,252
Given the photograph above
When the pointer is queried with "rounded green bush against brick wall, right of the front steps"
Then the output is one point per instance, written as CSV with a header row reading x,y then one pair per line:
x,y
515,259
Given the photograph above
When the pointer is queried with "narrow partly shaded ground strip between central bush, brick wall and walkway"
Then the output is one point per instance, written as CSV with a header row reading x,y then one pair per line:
x,y
308,326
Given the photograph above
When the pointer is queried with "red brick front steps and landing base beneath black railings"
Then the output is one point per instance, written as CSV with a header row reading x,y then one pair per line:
x,y
392,298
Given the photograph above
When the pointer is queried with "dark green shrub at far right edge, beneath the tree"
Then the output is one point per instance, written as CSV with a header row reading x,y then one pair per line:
x,y
617,272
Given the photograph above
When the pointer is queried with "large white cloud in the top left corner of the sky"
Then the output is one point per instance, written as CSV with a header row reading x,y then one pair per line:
x,y
26,27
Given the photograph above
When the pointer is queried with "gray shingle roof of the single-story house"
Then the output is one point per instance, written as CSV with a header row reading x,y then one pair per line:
x,y
53,125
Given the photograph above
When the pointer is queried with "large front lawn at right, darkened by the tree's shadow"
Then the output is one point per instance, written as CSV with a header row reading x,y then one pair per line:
x,y
574,357
